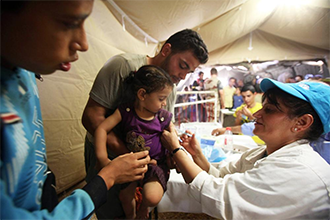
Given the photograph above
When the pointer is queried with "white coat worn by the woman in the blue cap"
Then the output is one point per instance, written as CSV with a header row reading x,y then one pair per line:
x,y
291,183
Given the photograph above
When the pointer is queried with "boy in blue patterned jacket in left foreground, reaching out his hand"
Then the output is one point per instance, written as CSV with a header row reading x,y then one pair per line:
x,y
40,37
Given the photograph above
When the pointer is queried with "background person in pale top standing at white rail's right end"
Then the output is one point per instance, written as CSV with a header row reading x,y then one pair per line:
x,y
213,84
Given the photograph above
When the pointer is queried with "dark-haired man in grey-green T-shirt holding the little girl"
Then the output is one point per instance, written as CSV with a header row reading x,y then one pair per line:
x,y
181,54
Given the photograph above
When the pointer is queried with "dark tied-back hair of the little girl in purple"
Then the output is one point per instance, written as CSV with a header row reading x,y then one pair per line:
x,y
149,77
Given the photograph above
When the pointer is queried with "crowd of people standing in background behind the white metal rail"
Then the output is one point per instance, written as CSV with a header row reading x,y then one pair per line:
x,y
229,96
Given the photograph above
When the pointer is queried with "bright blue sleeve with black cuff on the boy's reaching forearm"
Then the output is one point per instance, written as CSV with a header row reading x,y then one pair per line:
x,y
79,205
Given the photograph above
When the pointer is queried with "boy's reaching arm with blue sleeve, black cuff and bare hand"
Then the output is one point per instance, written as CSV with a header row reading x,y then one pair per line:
x,y
82,202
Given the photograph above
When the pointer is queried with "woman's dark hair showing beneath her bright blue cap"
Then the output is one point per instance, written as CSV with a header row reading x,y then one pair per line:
x,y
297,107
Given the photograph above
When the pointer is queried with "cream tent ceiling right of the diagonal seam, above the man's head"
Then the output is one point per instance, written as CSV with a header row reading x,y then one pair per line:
x,y
277,30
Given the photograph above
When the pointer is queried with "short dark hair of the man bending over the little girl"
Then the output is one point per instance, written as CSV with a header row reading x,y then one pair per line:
x,y
188,39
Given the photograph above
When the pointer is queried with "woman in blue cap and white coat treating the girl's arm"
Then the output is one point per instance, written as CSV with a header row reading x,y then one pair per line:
x,y
262,184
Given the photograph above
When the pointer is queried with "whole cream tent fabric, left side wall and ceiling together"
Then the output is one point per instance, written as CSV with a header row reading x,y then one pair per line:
x,y
273,30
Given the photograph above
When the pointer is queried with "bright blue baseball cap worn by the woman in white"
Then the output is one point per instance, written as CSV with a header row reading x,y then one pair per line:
x,y
317,94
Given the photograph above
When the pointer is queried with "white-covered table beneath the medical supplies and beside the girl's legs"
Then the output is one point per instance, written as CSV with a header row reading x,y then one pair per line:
x,y
176,197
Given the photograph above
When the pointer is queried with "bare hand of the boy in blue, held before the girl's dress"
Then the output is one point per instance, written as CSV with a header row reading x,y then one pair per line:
x,y
125,168
